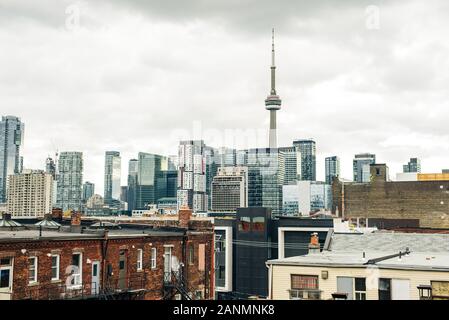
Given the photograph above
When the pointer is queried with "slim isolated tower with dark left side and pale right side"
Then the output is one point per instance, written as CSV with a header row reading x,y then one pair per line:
x,y
112,176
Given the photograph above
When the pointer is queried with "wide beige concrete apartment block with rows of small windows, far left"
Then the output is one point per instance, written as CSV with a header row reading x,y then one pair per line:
x,y
30,194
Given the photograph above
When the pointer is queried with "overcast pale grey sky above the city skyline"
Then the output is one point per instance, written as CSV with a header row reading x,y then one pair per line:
x,y
357,76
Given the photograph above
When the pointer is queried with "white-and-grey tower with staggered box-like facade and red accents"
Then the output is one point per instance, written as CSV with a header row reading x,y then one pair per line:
x,y
192,172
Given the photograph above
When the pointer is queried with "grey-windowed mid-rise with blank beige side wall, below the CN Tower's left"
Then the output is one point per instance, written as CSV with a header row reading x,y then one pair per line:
x,y
230,189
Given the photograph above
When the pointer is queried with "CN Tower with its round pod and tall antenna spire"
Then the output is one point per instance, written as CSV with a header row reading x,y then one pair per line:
x,y
273,101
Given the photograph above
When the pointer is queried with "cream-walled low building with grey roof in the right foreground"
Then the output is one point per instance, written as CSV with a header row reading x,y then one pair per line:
x,y
369,266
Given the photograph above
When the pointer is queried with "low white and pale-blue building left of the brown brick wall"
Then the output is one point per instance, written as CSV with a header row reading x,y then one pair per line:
x,y
306,198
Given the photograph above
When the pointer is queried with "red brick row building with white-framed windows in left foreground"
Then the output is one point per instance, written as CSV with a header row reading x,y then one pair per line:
x,y
104,260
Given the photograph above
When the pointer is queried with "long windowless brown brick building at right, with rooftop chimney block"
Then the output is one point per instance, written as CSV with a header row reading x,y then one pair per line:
x,y
421,203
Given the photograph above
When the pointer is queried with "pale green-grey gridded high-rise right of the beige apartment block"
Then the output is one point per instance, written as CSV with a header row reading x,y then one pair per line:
x,y
70,181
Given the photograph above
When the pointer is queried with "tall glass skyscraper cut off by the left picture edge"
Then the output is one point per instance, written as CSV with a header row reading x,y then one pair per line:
x,y
11,138
